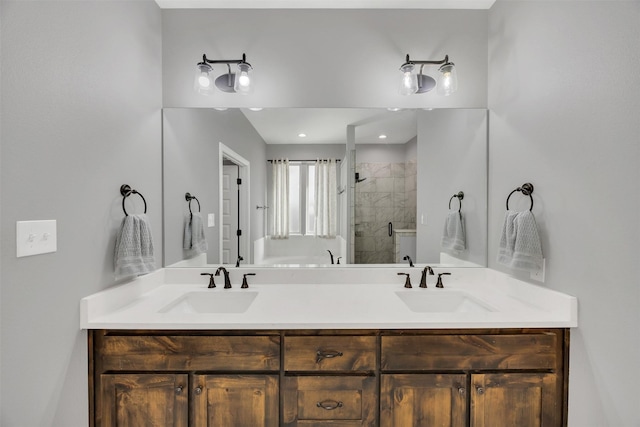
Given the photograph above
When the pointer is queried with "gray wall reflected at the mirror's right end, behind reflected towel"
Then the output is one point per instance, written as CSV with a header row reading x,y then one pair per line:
x,y
452,154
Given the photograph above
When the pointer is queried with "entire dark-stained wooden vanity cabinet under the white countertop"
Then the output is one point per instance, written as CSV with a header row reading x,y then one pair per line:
x,y
339,378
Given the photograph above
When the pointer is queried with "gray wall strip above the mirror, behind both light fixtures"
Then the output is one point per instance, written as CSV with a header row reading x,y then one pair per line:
x,y
324,58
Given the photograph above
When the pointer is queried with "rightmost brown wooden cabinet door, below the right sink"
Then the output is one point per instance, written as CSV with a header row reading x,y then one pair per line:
x,y
523,400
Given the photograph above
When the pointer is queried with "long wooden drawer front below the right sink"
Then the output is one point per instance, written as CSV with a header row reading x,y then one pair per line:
x,y
471,351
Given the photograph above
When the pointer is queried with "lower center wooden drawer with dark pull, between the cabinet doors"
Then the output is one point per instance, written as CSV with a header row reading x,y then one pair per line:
x,y
321,401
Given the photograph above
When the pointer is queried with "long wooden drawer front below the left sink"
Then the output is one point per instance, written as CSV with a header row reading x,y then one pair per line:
x,y
183,352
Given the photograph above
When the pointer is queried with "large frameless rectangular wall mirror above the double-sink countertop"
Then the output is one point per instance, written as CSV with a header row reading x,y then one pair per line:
x,y
400,184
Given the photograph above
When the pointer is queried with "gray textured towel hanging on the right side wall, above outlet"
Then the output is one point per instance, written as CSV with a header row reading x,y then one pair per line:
x,y
520,246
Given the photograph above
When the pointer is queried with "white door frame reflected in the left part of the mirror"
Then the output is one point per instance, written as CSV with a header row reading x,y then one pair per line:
x,y
244,169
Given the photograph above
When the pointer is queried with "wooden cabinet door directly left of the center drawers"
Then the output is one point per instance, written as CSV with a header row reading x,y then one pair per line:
x,y
235,400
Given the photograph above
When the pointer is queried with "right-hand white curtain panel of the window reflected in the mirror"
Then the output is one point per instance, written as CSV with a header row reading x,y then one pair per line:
x,y
326,199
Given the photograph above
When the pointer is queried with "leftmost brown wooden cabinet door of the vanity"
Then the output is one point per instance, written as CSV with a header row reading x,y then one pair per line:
x,y
152,400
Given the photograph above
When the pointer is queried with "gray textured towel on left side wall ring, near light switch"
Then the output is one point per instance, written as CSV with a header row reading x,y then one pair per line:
x,y
134,247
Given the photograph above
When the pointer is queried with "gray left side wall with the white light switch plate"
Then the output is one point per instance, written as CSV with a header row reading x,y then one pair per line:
x,y
81,99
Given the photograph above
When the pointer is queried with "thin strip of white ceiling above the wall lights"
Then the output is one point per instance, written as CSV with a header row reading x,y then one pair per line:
x,y
325,4
